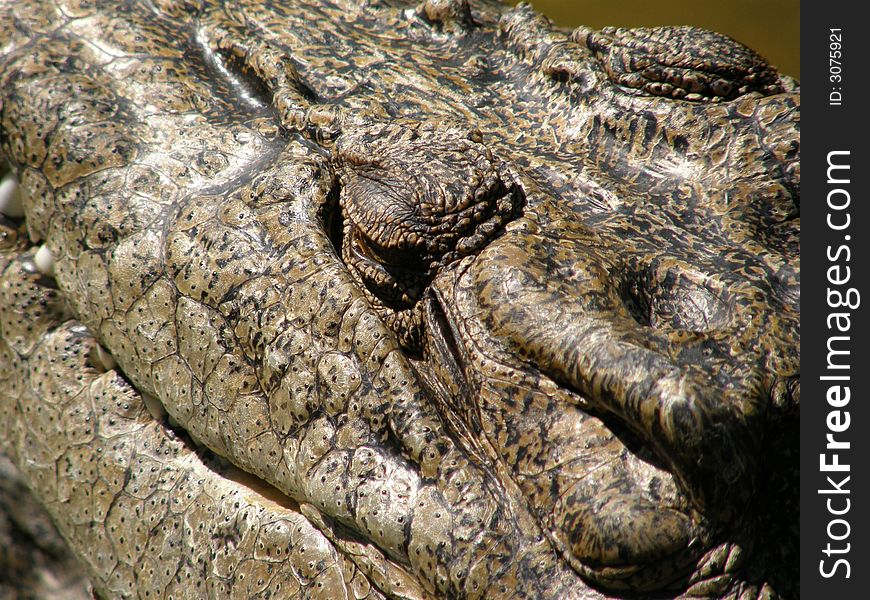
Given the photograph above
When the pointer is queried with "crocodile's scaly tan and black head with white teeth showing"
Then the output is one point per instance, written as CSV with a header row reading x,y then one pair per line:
x,y
367,298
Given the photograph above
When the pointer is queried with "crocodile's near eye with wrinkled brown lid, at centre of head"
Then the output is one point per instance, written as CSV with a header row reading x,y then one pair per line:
x,y
415,199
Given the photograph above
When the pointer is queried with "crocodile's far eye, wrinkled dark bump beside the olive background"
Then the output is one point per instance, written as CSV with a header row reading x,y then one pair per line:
x,y
684,63
